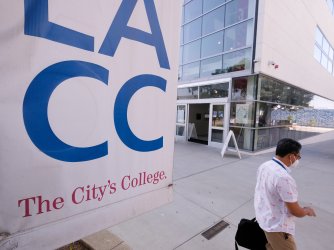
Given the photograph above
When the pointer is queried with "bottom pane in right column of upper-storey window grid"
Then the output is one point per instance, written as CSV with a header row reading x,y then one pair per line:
x,y
235,61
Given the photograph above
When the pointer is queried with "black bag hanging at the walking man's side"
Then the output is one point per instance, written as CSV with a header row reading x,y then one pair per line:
x,y
250,235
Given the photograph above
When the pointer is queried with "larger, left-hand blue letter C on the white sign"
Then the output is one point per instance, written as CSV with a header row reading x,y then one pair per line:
x,y
35,106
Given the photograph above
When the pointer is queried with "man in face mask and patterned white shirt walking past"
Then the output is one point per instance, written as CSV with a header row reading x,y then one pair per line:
x,y
276,197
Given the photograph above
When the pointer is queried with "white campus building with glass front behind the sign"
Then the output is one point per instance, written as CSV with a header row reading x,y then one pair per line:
x,y
261,68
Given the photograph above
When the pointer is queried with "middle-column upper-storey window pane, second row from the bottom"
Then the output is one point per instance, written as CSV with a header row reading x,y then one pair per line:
x,y
212,45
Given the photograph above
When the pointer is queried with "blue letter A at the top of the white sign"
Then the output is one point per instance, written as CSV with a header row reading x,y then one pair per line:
x,y
119,29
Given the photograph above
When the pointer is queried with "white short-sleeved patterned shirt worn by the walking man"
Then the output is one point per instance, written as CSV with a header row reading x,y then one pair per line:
x,y
274,187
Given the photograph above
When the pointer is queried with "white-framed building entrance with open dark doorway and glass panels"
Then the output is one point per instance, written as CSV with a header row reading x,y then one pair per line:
x,y
203,111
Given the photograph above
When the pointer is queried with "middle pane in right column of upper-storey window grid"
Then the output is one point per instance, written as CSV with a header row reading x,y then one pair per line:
x,y
238,36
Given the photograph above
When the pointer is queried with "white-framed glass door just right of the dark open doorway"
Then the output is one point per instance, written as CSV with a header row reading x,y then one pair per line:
x,y
216,125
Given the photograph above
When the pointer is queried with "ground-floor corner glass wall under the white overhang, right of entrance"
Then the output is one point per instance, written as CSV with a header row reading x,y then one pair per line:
x,y
264,110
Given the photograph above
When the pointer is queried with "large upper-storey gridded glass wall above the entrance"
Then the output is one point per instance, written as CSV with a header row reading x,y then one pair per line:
x,y
216,38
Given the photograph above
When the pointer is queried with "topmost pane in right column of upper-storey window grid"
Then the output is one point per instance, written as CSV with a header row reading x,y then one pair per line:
x,y
236,11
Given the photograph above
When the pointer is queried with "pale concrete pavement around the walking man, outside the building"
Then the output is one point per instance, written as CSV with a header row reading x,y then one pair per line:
x,y
208,189
